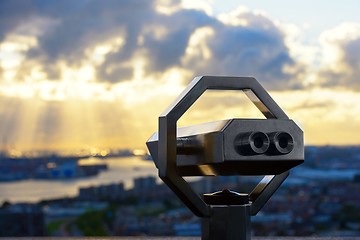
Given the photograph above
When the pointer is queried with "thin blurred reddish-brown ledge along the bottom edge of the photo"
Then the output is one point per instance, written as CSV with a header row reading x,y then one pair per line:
x,y
176,238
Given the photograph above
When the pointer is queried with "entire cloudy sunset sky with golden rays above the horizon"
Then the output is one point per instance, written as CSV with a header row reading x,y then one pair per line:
x,y
92,75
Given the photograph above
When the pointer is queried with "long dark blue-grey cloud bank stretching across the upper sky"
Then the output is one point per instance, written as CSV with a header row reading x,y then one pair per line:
x,y
257,49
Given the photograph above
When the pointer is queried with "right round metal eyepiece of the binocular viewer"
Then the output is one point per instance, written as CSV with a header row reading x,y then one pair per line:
x,y
281,143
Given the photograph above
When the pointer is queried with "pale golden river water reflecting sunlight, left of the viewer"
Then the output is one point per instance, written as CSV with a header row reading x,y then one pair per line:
x,y
120,170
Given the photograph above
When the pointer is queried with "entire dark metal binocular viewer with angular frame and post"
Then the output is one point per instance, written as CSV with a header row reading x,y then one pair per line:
x,y
269,147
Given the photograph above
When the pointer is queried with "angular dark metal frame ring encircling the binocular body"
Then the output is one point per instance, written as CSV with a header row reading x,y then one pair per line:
x,y
167,138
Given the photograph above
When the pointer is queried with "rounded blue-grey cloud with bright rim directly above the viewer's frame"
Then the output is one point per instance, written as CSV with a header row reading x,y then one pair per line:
x,y
249,44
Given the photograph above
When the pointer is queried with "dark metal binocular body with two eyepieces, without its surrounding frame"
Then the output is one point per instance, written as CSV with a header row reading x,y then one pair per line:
x,y
236,147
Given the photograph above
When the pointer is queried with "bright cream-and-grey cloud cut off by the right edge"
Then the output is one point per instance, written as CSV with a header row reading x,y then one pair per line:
x,y
341,46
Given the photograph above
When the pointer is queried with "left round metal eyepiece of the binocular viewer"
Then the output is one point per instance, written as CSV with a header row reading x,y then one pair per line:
x,y
252,143
